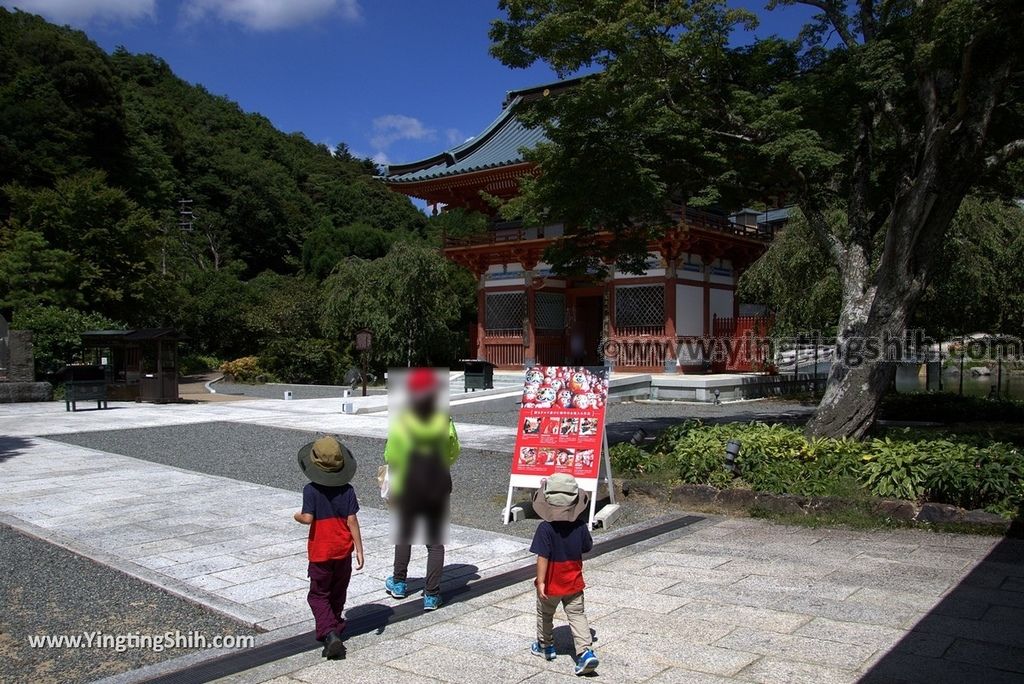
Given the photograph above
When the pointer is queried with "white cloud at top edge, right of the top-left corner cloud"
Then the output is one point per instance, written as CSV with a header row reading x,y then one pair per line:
x,y
270,15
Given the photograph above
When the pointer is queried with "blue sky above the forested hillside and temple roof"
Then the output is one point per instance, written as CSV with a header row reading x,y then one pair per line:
x,y
397,80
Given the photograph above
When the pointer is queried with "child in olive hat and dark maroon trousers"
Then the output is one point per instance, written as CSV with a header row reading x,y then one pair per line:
x,y
330,507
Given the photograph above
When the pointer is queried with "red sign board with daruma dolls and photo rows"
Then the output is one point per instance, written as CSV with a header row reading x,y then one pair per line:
x,y
562,423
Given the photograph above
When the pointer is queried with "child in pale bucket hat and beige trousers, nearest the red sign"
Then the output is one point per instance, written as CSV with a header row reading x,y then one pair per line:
x,y
560,544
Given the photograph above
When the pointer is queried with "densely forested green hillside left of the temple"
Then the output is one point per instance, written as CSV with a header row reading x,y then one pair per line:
x,y
97,153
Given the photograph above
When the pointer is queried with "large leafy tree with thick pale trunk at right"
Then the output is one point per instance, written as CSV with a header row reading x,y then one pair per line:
x,y
876,121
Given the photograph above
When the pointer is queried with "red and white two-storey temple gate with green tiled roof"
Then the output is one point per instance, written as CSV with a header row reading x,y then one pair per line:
x,y
528,314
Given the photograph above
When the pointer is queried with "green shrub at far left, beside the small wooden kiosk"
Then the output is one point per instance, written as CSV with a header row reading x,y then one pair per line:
x,y
57,333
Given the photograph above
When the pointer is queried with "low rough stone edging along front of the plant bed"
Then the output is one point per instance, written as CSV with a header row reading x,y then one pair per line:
x,y
744,501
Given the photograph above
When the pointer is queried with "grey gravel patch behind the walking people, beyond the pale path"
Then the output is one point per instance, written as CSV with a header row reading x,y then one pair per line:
x,y
267,456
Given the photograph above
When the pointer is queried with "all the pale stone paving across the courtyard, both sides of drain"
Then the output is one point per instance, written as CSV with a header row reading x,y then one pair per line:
x,y
728,601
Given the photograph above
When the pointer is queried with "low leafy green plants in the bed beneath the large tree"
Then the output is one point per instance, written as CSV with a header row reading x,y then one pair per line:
x,y
963,472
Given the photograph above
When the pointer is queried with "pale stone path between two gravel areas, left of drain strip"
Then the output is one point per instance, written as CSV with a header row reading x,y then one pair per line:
x,y
227,544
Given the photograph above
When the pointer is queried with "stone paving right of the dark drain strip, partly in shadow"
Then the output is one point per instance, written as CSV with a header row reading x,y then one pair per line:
x,y
734,601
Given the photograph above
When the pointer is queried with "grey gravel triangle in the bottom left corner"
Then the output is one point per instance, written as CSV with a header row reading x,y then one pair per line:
x,y
46,590
